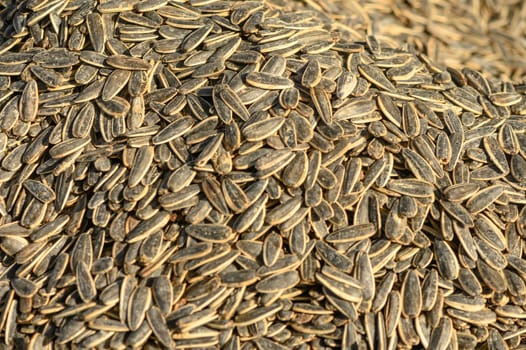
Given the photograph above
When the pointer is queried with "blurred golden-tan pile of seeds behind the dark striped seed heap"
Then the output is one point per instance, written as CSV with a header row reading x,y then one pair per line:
x,y
485,35
